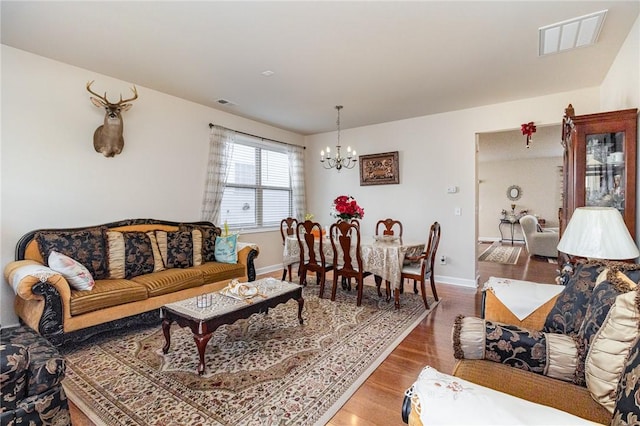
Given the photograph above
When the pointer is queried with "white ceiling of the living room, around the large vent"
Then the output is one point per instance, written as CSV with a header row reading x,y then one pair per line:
x,y
383,61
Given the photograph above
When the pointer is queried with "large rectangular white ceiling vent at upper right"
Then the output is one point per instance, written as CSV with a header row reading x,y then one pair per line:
x,y
570,34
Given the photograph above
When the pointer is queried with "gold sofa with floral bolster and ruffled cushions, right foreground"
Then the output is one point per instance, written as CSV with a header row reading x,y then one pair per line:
x,y
582,358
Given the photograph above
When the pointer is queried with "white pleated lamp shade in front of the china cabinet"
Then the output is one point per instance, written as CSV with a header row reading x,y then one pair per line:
x,y
598,233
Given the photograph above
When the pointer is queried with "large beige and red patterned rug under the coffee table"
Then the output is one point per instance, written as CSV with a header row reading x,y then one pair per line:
x,y
266,370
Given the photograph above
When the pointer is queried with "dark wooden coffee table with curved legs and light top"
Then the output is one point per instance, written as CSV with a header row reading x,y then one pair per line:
x,y
204,314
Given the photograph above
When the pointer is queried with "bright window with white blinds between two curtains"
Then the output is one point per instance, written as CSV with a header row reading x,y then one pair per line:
x,y
258,190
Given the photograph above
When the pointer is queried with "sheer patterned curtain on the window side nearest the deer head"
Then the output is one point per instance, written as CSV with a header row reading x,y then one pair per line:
x,y
221,142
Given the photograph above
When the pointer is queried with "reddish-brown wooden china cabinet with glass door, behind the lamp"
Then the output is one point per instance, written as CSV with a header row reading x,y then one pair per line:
x,y
600,163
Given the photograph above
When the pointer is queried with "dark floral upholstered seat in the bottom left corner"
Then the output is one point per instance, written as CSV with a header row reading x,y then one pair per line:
x,y
32,370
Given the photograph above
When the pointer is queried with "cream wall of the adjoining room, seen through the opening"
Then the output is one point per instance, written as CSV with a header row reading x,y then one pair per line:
x,y
540,181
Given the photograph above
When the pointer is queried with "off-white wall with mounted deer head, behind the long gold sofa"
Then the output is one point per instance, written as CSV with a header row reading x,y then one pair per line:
x,y
52,177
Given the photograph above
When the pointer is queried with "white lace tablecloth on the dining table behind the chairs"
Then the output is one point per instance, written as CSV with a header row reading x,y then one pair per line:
x,y
382,258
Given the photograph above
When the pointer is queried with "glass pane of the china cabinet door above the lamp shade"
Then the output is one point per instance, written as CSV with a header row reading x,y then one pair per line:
x,y
605,170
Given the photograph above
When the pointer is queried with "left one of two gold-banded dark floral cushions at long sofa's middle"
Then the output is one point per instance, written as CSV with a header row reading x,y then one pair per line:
x,y
133,253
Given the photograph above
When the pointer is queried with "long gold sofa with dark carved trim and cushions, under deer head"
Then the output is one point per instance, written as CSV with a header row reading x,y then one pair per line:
x,y
74,283
